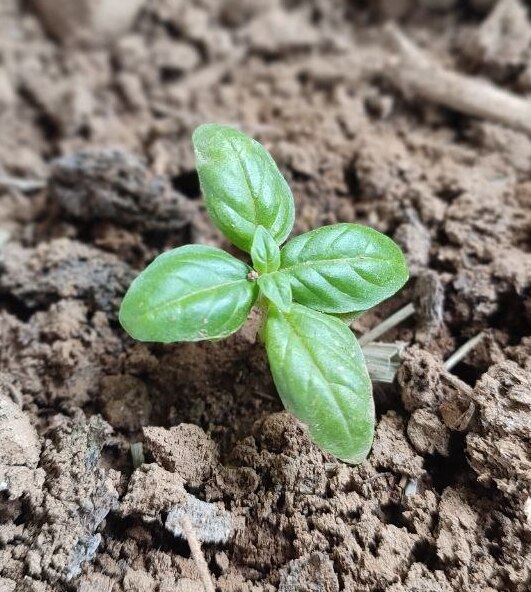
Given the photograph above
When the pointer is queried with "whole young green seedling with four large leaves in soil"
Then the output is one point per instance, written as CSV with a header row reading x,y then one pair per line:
x,y
303,289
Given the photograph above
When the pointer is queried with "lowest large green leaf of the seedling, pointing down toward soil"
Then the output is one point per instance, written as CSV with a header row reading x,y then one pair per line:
x,y
320,374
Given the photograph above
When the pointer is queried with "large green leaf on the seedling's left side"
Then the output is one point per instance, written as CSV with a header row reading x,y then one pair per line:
x,y
191,293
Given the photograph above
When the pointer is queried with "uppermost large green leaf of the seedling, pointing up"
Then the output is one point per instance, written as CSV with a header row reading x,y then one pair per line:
x,y
242,185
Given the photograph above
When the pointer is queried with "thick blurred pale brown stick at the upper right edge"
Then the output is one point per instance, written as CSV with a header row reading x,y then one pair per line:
x,y
415,72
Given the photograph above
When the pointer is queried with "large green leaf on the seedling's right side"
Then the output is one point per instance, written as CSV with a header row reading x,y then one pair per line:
x,y
343,268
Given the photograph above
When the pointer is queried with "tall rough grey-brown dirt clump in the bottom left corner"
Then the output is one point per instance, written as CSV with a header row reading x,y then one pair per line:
x,y
76,496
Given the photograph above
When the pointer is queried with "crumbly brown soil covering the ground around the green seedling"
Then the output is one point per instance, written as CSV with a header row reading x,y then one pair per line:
x,y
444,500
